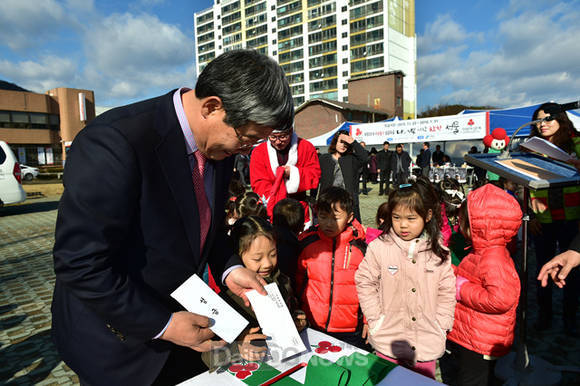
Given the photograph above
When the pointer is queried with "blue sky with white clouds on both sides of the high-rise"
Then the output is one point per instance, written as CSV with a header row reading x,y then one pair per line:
x,y
500,53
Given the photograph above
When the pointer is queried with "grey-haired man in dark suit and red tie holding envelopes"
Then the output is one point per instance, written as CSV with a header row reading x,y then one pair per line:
x,y
145,188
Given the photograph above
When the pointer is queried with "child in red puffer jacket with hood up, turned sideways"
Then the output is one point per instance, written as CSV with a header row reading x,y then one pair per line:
x,y
488,289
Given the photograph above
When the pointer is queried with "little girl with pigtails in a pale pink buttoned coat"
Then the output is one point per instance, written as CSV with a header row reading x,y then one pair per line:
x,y
405,283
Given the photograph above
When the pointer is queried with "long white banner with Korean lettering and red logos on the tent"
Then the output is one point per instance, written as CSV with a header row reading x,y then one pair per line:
x,y
435,129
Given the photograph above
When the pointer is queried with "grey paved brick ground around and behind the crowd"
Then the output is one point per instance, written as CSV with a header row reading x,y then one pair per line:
x,y
27,355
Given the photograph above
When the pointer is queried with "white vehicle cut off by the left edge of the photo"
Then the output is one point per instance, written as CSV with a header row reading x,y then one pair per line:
x,y
11,191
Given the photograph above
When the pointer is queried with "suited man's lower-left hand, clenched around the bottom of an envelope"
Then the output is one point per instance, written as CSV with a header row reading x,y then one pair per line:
x,y
191,330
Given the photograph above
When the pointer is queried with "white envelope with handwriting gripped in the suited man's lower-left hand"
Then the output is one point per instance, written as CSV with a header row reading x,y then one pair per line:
x,y
197,297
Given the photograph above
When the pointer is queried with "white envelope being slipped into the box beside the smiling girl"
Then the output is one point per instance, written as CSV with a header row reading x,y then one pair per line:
x,y
276,322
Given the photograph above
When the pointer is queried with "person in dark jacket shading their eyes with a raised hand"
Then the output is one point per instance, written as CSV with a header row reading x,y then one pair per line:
x,y
340,166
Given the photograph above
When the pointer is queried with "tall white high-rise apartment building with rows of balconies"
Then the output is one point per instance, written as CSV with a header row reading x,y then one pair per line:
x,y
320,44
